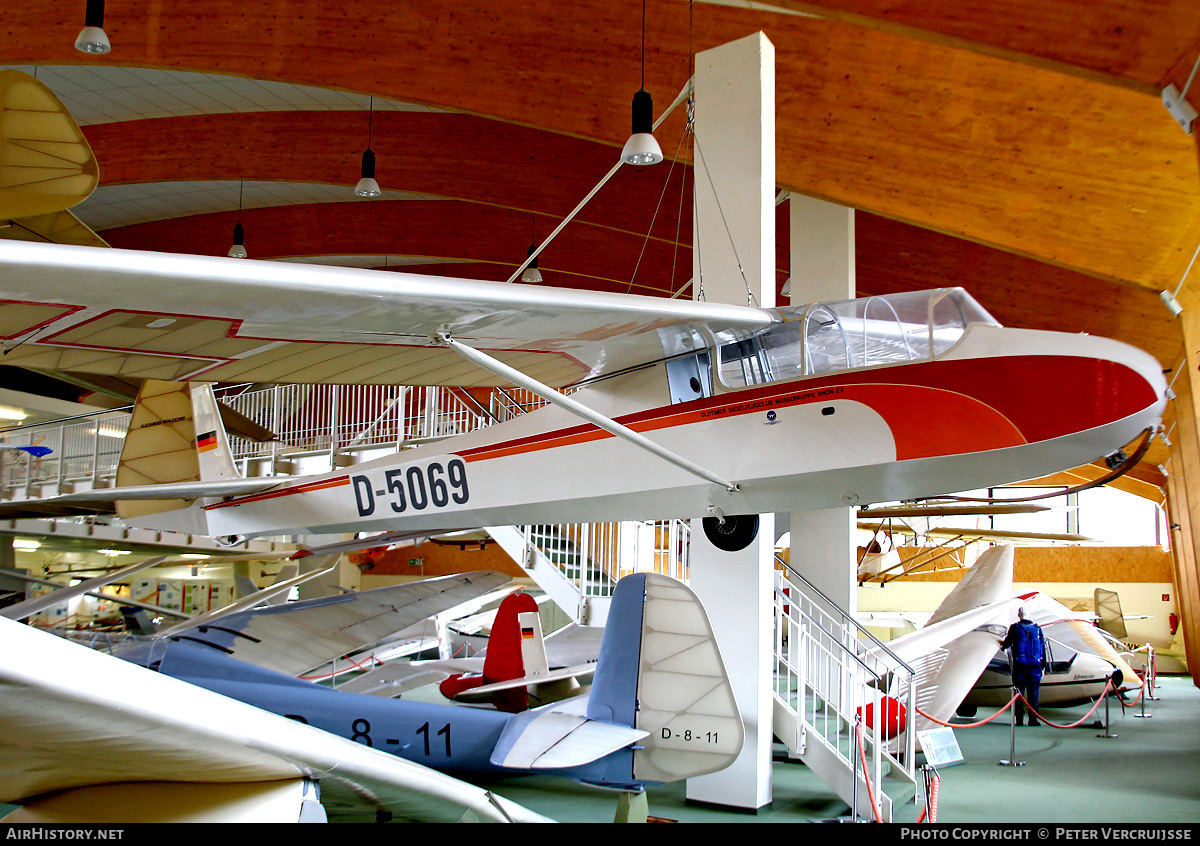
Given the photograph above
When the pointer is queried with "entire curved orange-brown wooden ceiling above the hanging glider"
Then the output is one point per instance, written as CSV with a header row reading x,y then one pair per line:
x,y
1023,154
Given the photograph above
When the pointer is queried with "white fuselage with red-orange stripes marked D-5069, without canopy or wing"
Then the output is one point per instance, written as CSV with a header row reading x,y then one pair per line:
x,y
1000,406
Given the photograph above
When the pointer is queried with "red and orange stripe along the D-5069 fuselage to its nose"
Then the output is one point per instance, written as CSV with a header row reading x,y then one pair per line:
x,y
933,407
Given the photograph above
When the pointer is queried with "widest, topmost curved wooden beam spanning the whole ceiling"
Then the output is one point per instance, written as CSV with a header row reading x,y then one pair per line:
x,y
1061,169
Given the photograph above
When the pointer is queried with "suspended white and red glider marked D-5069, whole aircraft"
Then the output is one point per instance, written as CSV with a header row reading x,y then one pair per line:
x,y
686,410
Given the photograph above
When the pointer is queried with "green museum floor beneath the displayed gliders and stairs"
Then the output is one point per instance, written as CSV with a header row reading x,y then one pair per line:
x,y
1150,772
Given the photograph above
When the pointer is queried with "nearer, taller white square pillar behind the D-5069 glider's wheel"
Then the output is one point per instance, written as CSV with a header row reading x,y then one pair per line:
x,y
735,244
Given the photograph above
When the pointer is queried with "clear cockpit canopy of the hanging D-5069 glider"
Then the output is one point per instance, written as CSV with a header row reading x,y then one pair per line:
x,y
871,332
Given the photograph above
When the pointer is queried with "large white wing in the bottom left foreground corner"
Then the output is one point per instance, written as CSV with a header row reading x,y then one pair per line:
x,y
75,718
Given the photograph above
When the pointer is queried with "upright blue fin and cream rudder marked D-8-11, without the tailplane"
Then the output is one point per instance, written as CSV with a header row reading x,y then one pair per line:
x,y
661,671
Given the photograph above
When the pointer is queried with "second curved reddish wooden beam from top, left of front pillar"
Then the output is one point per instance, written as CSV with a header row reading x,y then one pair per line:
x,y
453,157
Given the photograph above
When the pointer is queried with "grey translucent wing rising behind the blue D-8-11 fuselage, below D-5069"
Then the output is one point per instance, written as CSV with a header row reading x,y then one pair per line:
x,y
299,637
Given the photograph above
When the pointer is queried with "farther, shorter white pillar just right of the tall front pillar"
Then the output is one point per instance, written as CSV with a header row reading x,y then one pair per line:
x,y
823,255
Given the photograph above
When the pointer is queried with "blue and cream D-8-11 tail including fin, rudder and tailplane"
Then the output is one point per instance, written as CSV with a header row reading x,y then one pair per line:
x,y
661,710
